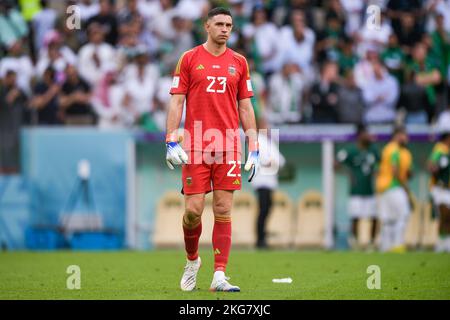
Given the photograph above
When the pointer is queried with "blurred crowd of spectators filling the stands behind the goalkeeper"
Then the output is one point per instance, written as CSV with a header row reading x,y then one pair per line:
x,y
312,61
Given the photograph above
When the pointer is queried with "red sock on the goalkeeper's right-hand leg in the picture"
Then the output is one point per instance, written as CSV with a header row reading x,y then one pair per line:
x,y
221,242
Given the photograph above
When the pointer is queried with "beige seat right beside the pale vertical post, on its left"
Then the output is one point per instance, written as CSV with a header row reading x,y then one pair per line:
x,y
310,224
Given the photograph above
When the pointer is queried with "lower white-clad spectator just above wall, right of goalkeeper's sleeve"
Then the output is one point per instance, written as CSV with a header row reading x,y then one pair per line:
x,y
285,91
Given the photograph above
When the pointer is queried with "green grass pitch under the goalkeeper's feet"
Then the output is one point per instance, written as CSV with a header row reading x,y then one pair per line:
x,y
156,275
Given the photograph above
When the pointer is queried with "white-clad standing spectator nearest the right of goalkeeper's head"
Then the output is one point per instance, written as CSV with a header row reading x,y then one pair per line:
x,y
266,36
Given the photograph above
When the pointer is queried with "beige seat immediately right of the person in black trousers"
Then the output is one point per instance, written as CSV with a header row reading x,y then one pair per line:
x,y
280,227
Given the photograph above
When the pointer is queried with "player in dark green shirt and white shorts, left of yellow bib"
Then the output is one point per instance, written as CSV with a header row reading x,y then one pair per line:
x,y
362,161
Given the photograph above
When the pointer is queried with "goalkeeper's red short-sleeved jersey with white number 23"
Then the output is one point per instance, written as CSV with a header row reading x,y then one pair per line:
x,y
213,85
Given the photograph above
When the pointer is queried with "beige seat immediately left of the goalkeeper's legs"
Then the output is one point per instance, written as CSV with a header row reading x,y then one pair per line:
x,y
169,213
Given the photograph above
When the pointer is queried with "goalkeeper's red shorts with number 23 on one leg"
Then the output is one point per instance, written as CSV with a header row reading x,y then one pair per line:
x,y
212,171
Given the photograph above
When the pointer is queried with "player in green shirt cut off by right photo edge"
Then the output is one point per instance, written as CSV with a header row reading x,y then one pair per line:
x,y
439,167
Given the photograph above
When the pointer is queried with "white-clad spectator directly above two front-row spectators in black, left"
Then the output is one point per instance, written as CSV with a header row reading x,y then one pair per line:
x,y
54,54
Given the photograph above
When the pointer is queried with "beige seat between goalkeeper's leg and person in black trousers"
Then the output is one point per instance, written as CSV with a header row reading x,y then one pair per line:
x,y
244,214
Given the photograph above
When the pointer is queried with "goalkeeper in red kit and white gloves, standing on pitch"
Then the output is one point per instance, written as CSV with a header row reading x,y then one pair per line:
x,y
214,81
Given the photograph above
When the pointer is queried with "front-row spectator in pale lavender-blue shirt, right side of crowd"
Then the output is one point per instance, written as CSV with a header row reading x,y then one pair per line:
x,y
380,96
